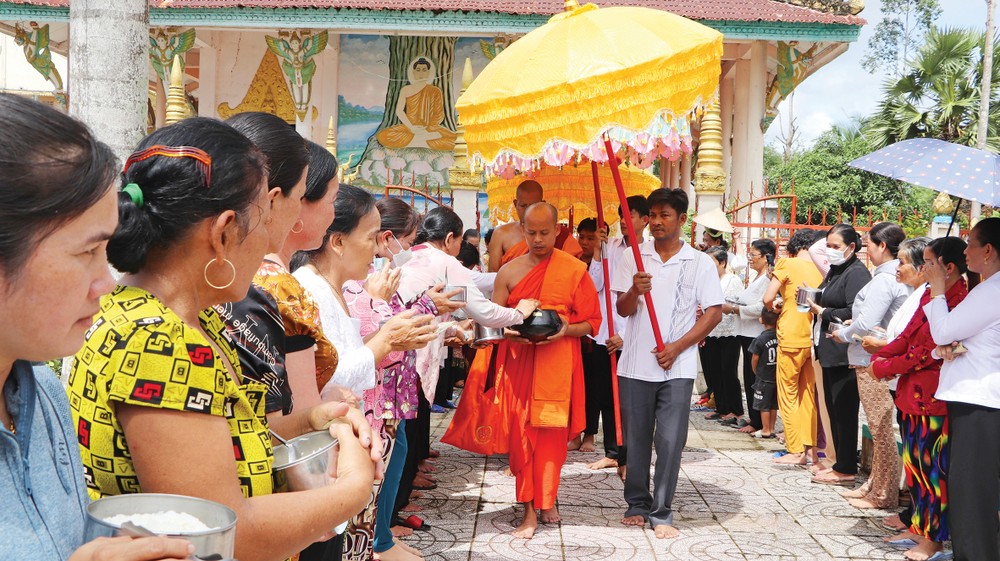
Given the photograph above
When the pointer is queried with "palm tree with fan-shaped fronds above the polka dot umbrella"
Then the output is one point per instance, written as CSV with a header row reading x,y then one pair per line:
x,y
938,95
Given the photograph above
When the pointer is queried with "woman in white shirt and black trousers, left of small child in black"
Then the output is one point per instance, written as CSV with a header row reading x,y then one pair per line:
x,y
750,304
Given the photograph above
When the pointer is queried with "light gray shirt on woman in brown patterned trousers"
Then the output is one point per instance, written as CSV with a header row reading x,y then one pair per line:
x,y
874,306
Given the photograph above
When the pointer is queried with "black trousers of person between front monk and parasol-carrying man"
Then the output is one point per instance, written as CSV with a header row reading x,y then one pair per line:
x,y
600,397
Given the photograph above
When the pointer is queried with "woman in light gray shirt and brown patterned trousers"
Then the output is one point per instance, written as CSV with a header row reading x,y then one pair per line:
x,y
873,308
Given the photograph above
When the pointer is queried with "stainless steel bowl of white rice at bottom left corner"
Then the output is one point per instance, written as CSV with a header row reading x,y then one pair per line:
x,y
219,541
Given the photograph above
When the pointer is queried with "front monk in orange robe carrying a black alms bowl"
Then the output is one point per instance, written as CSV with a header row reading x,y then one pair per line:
x,y
534,401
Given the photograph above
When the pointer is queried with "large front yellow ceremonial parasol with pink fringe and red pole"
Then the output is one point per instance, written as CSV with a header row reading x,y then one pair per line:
x,y
598,84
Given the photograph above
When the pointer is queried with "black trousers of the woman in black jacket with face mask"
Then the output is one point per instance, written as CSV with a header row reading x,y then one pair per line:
x,y
840,386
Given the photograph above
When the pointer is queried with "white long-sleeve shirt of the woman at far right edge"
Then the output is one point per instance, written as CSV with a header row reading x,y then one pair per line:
x,y
972,377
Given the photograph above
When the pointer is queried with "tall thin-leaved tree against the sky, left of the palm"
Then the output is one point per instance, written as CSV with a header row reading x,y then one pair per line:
x,y
903,24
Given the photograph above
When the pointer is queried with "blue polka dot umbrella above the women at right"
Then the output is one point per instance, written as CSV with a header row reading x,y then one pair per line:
x,y
958,170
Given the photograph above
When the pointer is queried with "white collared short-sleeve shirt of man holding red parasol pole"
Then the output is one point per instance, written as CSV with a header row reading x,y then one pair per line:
x,y
688,280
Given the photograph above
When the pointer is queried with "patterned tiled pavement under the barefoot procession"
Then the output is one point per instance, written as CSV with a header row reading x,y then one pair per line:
x,y
731,504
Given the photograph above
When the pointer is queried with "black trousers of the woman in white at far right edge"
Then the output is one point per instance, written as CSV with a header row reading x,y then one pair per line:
x,y
974,481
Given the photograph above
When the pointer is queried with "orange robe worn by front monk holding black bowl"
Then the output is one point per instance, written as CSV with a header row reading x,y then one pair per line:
x,y
538,399
